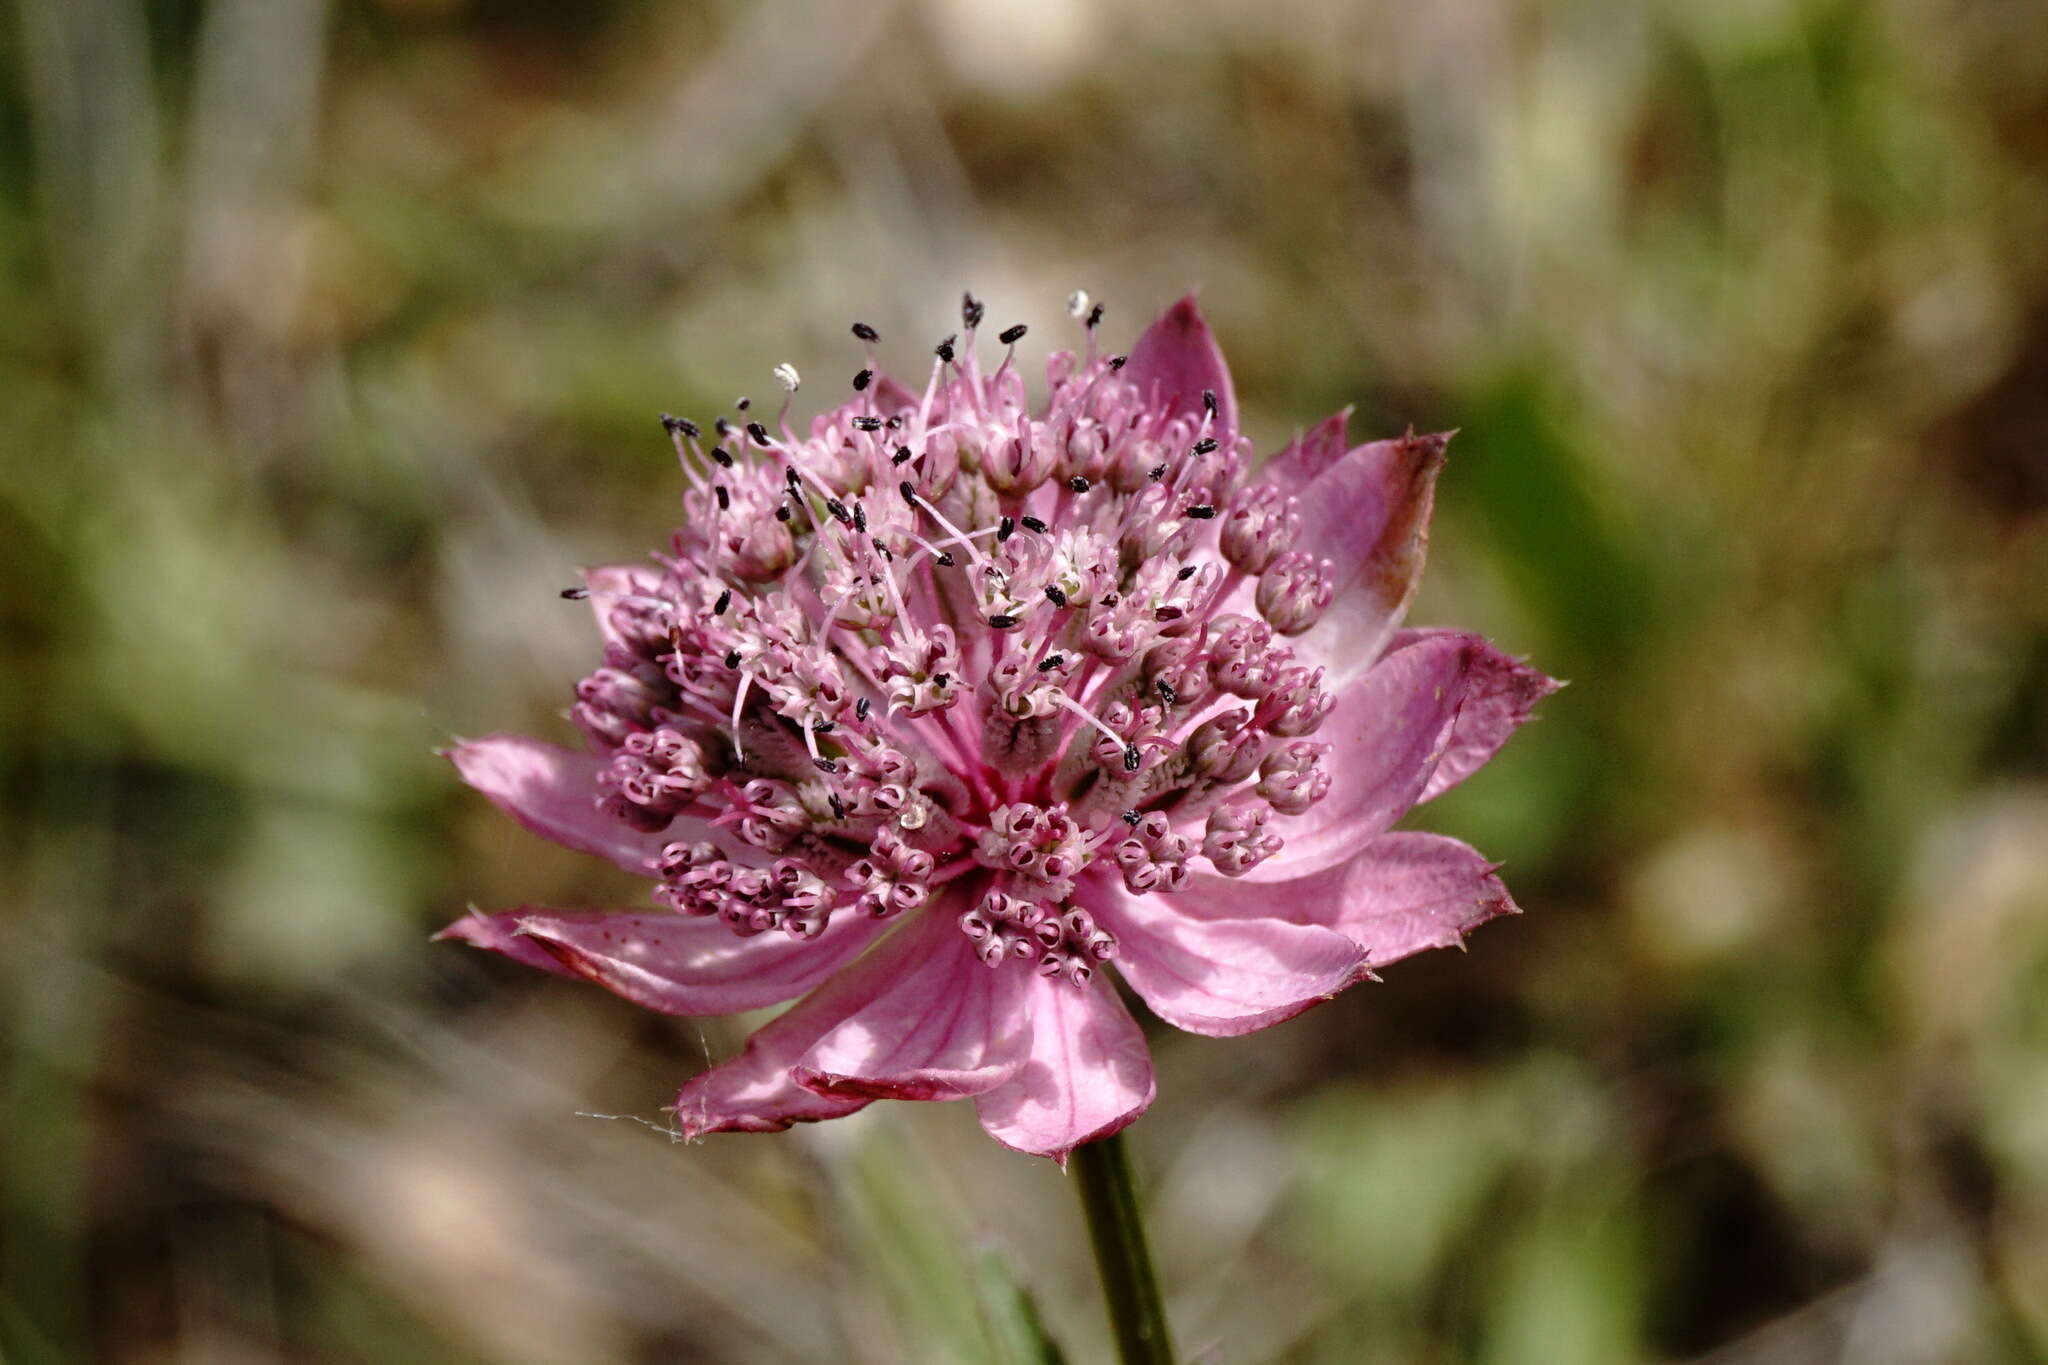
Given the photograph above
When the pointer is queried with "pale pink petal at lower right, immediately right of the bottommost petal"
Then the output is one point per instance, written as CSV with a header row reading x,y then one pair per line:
x,y
1226,977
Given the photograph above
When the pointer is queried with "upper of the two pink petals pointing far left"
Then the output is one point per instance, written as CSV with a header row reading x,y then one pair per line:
x,y
554,793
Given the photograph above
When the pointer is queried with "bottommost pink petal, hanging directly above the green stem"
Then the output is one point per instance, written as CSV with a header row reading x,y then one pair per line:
x,y
1086,1077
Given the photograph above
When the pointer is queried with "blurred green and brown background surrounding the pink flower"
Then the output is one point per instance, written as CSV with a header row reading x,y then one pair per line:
x,y
333,335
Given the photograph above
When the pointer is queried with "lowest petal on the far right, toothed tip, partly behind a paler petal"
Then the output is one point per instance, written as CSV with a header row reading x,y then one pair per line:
x,y
1400,895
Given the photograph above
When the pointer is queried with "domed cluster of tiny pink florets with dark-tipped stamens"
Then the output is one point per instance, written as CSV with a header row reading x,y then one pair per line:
x,y
955,633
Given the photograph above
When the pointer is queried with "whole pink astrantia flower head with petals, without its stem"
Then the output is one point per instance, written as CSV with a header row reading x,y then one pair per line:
x,y
962,705
